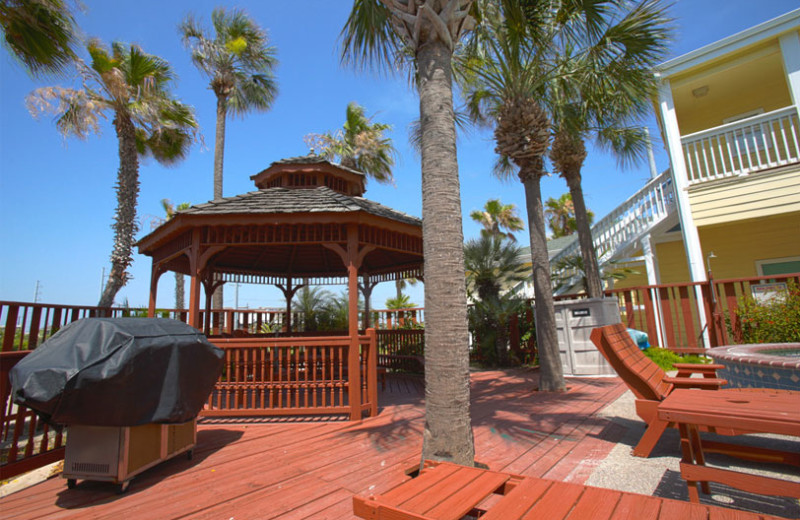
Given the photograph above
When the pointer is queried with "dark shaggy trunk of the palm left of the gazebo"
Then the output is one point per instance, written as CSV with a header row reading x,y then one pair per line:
x,y
125,217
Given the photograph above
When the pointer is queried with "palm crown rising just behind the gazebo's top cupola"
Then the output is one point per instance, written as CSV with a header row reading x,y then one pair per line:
x,y
360,145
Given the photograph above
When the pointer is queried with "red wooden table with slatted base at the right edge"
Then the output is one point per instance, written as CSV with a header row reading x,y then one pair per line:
x,y
755,412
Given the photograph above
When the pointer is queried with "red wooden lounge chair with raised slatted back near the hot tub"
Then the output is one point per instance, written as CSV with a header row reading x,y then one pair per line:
x,y
648,382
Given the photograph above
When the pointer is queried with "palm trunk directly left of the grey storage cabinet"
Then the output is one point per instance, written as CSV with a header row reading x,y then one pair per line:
x,y
551,374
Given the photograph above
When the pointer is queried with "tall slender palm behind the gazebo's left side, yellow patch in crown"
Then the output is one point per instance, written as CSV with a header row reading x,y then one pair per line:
x,y
239,63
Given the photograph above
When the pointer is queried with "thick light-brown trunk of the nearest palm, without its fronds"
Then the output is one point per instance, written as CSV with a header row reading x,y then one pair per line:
x,y
448,431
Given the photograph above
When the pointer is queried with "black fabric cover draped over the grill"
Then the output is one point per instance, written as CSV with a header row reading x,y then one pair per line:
x,y
118,372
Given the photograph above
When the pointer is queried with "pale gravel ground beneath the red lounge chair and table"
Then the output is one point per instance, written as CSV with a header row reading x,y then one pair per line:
x,y
659,475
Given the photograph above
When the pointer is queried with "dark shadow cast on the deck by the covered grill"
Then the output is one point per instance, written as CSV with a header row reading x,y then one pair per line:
x,y
89,493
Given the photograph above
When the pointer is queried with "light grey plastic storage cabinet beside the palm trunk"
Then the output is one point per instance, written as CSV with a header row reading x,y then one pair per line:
x,y
575,320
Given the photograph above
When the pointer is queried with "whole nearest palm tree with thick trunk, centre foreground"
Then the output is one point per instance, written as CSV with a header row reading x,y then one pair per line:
x,y
425,34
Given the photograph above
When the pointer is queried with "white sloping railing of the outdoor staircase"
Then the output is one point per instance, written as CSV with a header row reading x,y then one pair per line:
x,y
627,223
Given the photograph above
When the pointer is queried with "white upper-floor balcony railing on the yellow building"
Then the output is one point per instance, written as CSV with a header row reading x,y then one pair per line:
x,y
750,145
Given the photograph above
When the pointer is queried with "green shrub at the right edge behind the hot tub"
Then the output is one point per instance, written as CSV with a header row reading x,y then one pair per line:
x,y
774,321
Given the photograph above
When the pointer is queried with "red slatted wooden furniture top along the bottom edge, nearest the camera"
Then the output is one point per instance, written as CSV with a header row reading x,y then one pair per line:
x,y
445,491
